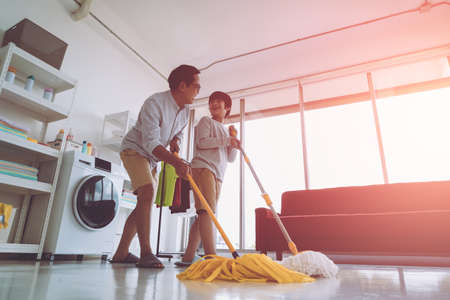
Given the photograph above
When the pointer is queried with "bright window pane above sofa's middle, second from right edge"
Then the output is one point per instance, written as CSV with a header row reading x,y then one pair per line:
x,y
342,146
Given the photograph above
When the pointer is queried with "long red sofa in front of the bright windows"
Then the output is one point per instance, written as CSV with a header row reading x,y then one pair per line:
x,y
407,221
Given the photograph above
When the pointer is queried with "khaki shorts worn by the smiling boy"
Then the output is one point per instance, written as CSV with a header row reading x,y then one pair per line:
x,y
209,186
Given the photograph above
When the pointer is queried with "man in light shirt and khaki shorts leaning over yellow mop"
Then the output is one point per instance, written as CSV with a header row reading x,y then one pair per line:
x,y
161,122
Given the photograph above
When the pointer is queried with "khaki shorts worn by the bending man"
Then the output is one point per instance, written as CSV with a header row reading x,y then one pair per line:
x,y
138,168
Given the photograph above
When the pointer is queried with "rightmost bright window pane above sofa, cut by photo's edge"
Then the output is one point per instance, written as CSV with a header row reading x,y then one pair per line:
x,y
415,135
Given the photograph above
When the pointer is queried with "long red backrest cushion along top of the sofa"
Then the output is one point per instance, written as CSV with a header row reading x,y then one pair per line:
x,y
397,197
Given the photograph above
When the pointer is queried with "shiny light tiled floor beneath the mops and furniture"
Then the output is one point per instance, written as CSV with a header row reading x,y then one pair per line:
x,y
95,280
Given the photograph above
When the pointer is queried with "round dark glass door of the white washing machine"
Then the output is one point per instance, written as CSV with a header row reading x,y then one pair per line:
x,y
95,202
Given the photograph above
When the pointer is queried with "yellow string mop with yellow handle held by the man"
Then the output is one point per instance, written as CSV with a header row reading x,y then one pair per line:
x,y
248,268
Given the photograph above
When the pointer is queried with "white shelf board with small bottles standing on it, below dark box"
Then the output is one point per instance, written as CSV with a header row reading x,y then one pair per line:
x,y
45,110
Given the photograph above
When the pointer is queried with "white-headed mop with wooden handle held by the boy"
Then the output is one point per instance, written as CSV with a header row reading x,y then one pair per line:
x,y
308,262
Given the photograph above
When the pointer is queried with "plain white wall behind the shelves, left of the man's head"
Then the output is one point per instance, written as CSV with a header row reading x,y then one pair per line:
x,y
110,77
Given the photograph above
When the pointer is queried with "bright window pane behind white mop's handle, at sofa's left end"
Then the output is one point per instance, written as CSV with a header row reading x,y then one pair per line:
x,y
273,146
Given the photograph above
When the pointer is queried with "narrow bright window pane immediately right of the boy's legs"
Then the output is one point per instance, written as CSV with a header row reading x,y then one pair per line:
x,y
228,205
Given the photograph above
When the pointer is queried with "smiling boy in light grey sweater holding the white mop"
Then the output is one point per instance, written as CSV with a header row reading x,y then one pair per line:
x,y
213,149
